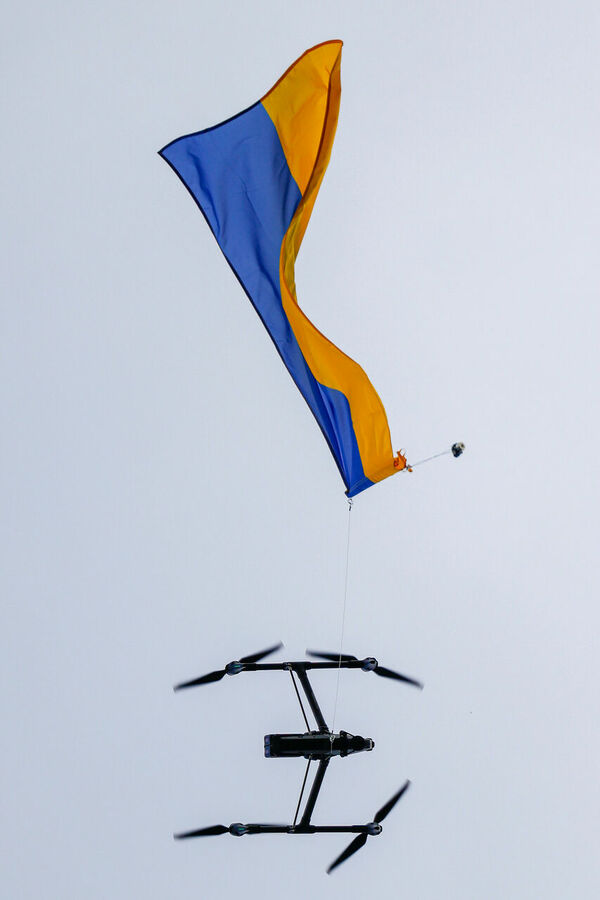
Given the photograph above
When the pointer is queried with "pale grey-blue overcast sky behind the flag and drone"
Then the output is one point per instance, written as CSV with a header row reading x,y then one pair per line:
x,y
169,503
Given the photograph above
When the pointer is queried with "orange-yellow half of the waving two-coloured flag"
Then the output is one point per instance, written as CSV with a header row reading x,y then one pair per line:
x,y
304,107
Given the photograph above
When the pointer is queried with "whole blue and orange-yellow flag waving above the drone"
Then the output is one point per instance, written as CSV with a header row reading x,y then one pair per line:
x,y
255,178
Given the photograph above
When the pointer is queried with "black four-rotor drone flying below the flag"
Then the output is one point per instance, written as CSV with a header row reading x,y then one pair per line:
x,y
319,745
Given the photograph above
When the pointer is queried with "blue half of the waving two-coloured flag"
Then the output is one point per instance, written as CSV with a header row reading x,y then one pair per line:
x,y
238,174
